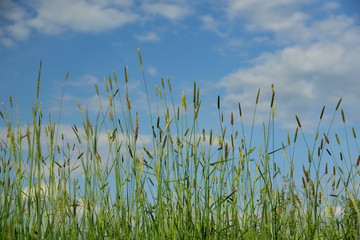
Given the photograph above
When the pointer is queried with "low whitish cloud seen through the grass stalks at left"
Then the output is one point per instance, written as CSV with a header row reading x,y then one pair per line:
x,y
65,130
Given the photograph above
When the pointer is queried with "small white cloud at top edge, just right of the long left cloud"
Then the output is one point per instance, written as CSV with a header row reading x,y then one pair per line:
x,y
167,10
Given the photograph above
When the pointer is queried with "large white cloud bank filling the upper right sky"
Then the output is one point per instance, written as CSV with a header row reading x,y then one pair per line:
x,y
317,68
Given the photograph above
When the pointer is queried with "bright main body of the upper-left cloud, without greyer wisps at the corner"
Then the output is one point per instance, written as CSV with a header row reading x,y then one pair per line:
x,y
56,16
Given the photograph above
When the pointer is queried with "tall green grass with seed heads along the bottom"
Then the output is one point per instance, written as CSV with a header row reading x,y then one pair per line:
x,y
185,184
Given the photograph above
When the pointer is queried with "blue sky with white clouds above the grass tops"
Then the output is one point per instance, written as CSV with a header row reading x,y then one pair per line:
x,y
309,50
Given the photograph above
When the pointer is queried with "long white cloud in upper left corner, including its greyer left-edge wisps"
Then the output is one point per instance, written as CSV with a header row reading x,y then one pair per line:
x,y
54,17
